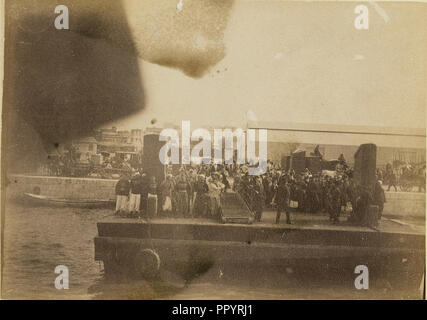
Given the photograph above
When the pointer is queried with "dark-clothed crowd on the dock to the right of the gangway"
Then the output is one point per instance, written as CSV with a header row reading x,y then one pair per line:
x,y
333,193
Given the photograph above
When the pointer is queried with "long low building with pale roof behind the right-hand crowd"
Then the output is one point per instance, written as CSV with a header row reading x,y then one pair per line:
x,y
394,145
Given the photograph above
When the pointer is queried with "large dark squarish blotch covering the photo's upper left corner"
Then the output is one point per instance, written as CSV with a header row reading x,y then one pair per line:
x,y
61,85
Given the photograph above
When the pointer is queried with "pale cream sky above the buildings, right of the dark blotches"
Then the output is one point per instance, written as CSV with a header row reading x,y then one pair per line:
x,y
300,62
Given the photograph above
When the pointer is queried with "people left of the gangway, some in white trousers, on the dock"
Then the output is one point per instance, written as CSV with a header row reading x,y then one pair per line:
x,y
187,193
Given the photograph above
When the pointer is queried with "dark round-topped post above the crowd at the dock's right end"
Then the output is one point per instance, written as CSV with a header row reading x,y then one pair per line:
x,y
365,164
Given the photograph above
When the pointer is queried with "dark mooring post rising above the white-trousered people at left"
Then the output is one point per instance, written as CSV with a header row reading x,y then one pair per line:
x,y
150,158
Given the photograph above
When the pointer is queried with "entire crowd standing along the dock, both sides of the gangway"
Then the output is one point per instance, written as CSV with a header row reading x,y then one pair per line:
x,y
193,192
